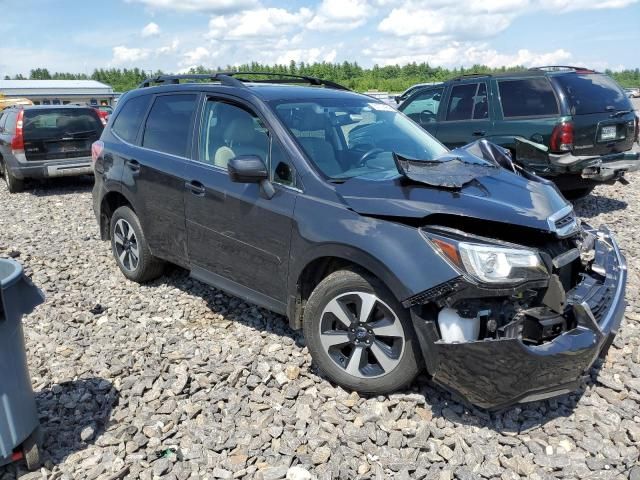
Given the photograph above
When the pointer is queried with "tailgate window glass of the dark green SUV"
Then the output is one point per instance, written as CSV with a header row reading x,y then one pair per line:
x,y
593,93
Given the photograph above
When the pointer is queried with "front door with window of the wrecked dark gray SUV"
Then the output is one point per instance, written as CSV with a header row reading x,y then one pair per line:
x,y
238,239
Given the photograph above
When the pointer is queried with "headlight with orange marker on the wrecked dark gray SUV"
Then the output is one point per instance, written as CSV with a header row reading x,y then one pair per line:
x,y
490,263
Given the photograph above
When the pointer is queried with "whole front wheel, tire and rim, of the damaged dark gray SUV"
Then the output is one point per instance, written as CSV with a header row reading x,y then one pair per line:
x,y
387,362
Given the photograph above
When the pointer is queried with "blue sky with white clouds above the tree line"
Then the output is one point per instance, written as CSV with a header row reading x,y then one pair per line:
x,y
174,35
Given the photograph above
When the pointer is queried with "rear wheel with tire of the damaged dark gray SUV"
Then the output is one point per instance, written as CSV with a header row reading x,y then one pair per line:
x,y
130,248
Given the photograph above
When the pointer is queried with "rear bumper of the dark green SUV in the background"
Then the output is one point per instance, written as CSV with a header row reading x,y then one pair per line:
x,y
599,168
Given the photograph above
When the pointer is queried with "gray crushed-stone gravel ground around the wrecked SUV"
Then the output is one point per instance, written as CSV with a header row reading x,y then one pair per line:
x,y
177,380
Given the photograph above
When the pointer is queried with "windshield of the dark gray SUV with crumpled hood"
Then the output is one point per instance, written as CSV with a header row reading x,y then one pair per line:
x,y
351,137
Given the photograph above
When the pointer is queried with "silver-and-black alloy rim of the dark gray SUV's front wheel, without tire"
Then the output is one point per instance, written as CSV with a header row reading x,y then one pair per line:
x,y
362,334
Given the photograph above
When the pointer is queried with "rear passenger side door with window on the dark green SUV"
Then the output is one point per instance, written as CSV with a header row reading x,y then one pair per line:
x,y
467,116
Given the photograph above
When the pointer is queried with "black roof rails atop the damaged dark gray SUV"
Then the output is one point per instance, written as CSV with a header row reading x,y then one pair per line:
x,y
230,79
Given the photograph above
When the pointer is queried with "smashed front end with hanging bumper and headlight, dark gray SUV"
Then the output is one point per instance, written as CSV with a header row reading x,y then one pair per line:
x,y
520,323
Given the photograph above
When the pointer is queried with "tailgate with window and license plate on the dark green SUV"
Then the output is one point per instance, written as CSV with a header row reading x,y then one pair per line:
x,y
603,116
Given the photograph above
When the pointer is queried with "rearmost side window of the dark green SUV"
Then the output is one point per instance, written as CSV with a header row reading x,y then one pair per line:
x,y
527,97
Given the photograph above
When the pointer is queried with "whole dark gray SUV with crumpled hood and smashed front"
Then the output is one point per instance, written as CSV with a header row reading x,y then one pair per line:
x,y
392,253
